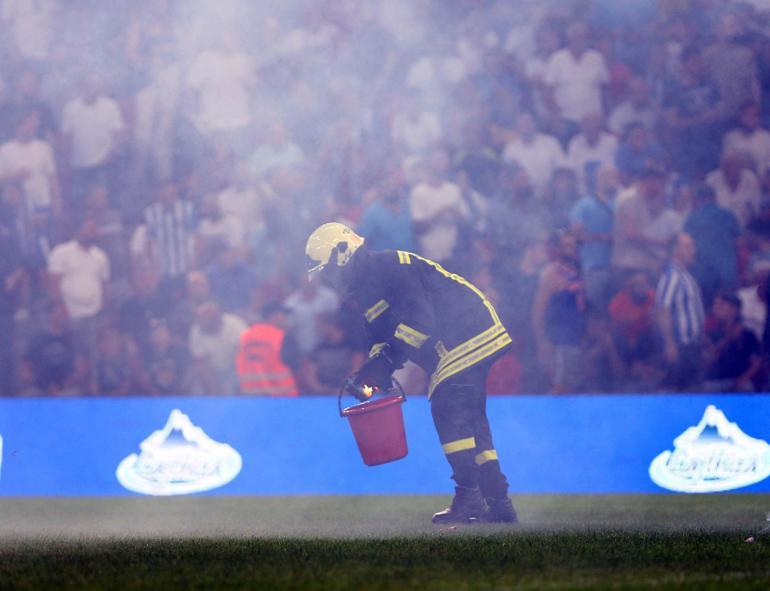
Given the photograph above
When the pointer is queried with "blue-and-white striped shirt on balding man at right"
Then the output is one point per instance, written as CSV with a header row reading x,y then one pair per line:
x,y
679,293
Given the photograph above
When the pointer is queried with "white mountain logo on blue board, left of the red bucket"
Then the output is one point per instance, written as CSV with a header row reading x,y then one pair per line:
x,y
180,459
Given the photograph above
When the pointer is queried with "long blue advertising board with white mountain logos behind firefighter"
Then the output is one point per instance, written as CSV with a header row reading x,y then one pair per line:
x,y
258,446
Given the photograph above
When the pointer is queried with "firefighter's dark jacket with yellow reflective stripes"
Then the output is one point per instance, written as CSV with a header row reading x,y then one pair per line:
x,y
428,315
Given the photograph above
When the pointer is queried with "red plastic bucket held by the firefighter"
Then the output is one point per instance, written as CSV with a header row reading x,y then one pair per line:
x,y
378,426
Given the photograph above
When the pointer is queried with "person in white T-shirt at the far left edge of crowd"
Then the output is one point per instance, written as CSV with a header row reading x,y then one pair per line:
x,y
30,162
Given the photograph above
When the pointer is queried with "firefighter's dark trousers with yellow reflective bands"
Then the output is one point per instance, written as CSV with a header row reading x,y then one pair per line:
x,y
459,409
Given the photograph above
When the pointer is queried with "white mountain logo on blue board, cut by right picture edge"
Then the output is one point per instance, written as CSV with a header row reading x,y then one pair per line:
x,y
713,456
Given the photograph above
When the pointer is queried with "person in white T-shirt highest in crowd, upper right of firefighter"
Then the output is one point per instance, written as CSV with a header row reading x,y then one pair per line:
x,y
576,77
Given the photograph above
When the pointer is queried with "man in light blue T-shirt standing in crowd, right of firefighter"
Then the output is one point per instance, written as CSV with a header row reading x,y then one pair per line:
x,y
591,223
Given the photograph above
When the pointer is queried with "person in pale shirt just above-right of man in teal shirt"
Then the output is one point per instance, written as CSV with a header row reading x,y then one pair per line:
x,y
737,188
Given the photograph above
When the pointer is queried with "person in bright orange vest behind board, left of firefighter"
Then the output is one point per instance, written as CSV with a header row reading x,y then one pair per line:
x,y
261,360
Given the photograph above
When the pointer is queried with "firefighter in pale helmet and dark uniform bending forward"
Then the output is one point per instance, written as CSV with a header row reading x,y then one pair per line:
x,y
415,310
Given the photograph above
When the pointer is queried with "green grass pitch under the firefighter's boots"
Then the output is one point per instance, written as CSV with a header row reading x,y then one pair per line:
x,y
382,543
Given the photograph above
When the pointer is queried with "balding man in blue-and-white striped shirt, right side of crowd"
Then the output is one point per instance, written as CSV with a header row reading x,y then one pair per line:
x,y
680,317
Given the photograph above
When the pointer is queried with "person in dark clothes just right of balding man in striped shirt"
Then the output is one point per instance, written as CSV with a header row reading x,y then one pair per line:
x,y
732,350
